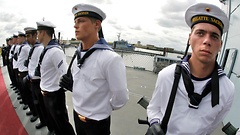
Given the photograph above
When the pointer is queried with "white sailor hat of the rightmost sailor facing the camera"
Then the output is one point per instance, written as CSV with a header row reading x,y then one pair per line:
x,y
207,13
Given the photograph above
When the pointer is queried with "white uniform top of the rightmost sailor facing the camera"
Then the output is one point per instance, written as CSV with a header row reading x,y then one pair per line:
x,y
185,120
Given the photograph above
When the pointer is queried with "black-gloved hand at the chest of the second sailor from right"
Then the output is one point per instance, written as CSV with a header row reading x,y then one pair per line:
x,y
66,82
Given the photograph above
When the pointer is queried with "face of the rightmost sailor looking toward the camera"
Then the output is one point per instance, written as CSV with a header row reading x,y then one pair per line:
x,y
205,40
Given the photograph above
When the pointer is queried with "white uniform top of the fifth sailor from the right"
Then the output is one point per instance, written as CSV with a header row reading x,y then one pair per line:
x,y
22,56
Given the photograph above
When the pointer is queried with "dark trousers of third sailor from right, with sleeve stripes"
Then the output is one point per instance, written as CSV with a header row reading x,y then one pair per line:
x,y
55,104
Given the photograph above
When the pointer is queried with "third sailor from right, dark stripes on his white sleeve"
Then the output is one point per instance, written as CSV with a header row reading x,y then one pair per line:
x,y
52,65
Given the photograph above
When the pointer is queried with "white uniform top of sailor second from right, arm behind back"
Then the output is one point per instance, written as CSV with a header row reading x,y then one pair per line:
x,y
100,85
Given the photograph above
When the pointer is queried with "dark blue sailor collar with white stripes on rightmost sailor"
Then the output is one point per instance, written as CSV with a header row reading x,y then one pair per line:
x,y
186,67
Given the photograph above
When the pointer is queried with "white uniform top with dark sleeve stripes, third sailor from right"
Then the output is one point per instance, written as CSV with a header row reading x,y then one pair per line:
x,y
53,66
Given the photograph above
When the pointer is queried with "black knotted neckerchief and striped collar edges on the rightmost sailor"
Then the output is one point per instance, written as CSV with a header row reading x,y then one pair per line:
x,y
212,85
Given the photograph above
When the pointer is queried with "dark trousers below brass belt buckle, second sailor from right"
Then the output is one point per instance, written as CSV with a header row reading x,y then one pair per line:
x,y
92,127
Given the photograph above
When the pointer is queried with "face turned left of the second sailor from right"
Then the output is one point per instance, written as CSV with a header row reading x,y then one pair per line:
x,y
84,28
